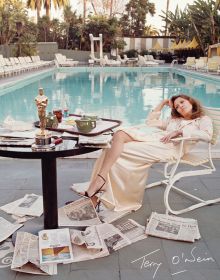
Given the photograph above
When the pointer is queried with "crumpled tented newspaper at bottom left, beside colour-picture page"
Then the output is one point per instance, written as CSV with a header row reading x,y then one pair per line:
x,y
26,256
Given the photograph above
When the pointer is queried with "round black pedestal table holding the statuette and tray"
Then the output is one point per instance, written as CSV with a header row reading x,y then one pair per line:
x,y
49,172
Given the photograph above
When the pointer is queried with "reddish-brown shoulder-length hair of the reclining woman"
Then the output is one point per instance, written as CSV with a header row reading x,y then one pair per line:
x,y
197,109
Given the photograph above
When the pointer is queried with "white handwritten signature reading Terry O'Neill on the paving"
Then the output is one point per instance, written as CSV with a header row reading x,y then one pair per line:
x,y
146,262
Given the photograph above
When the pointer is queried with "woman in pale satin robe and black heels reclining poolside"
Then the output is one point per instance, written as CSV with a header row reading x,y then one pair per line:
x,y
120,173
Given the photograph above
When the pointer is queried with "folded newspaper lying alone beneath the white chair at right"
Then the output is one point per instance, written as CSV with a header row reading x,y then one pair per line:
x,y
172,227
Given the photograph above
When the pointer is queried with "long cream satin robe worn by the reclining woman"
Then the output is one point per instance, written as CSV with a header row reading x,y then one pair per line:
x,y
127,178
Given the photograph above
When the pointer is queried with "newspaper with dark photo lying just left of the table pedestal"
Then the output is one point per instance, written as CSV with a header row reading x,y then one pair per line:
x,y
30,204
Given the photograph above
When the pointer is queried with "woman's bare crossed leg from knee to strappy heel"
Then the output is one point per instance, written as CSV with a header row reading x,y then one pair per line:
x,y
118,141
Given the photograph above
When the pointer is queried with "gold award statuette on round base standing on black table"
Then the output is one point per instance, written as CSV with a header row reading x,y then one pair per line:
x,y
43,137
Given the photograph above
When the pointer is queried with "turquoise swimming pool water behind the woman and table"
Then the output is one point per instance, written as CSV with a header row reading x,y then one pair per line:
x,y
113,93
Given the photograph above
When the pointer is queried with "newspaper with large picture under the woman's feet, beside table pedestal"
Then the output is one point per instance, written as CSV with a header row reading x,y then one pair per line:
x,y
78,213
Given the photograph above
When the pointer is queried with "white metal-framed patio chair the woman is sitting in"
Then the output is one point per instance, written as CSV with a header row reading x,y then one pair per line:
x,y
201,164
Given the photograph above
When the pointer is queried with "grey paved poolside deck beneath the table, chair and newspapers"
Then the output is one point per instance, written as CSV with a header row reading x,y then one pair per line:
x,y
174,260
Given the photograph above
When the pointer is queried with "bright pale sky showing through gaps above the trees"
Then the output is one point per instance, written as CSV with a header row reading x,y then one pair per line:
x,y
155,21
